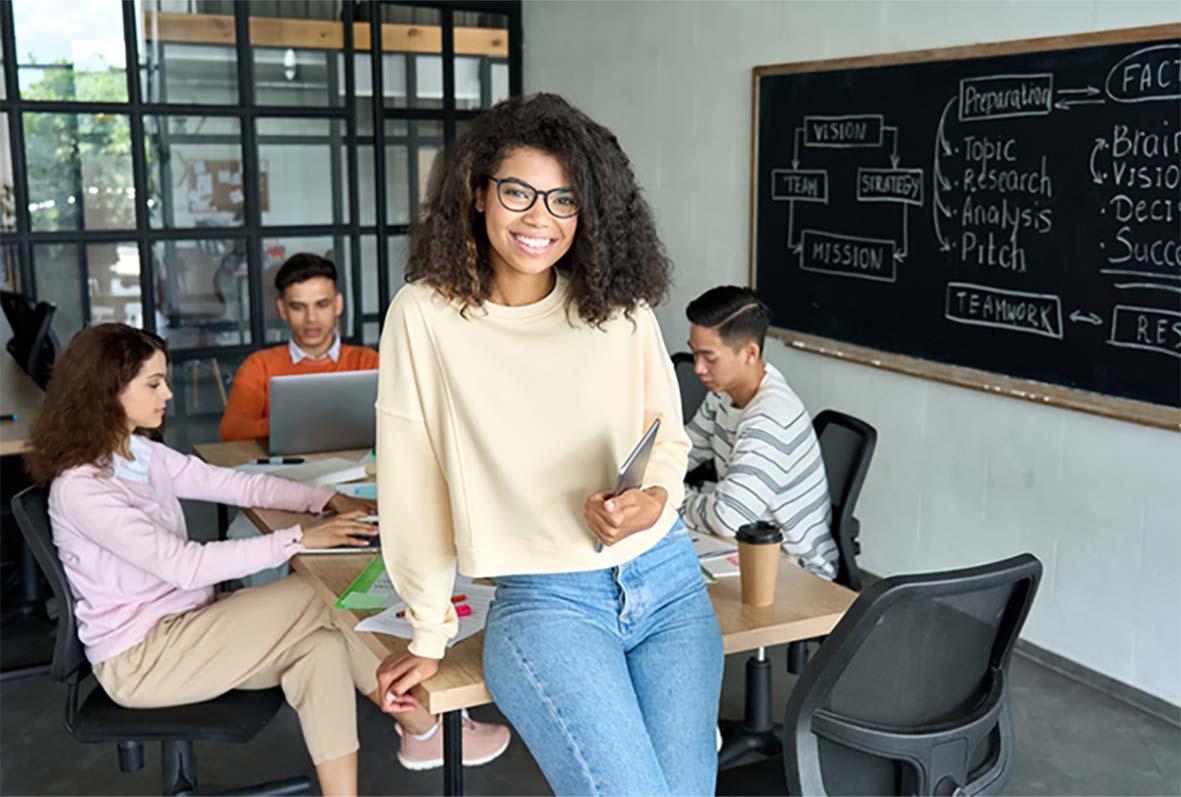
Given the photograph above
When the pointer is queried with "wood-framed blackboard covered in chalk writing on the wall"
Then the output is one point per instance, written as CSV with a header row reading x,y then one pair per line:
x,y
1002,217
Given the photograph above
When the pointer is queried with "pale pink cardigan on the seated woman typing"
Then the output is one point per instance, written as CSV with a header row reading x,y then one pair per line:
x,y
127,552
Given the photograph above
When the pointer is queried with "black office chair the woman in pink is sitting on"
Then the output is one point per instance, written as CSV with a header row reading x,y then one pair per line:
x,y
234,717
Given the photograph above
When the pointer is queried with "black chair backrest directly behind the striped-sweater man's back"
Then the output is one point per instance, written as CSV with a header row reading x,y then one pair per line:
x,y
847,446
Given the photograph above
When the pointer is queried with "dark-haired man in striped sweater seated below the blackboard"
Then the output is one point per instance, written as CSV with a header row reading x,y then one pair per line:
x,y
756,432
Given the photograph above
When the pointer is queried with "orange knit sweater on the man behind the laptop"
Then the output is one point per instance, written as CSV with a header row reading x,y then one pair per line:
x,y
249,411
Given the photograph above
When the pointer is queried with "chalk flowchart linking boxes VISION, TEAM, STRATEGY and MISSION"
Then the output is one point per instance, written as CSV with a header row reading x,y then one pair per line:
x,y
839,253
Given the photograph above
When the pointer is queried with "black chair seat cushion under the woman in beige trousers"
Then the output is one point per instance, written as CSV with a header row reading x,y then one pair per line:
x,y
237,716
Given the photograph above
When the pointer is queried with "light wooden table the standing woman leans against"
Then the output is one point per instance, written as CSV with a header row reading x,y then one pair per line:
x,y
806,607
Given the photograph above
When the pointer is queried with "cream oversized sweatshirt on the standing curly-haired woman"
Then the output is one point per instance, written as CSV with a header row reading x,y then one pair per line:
x,y
493,430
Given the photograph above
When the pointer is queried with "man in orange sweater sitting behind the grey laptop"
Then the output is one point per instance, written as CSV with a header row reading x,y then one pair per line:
x,y
311,306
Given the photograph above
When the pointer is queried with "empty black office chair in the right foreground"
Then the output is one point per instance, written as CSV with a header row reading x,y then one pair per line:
x,y
909,695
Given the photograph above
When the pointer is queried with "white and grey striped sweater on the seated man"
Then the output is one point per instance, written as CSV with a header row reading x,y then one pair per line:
x,y
769,469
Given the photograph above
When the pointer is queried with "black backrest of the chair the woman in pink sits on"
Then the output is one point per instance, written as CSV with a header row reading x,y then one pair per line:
x,y
31,508
